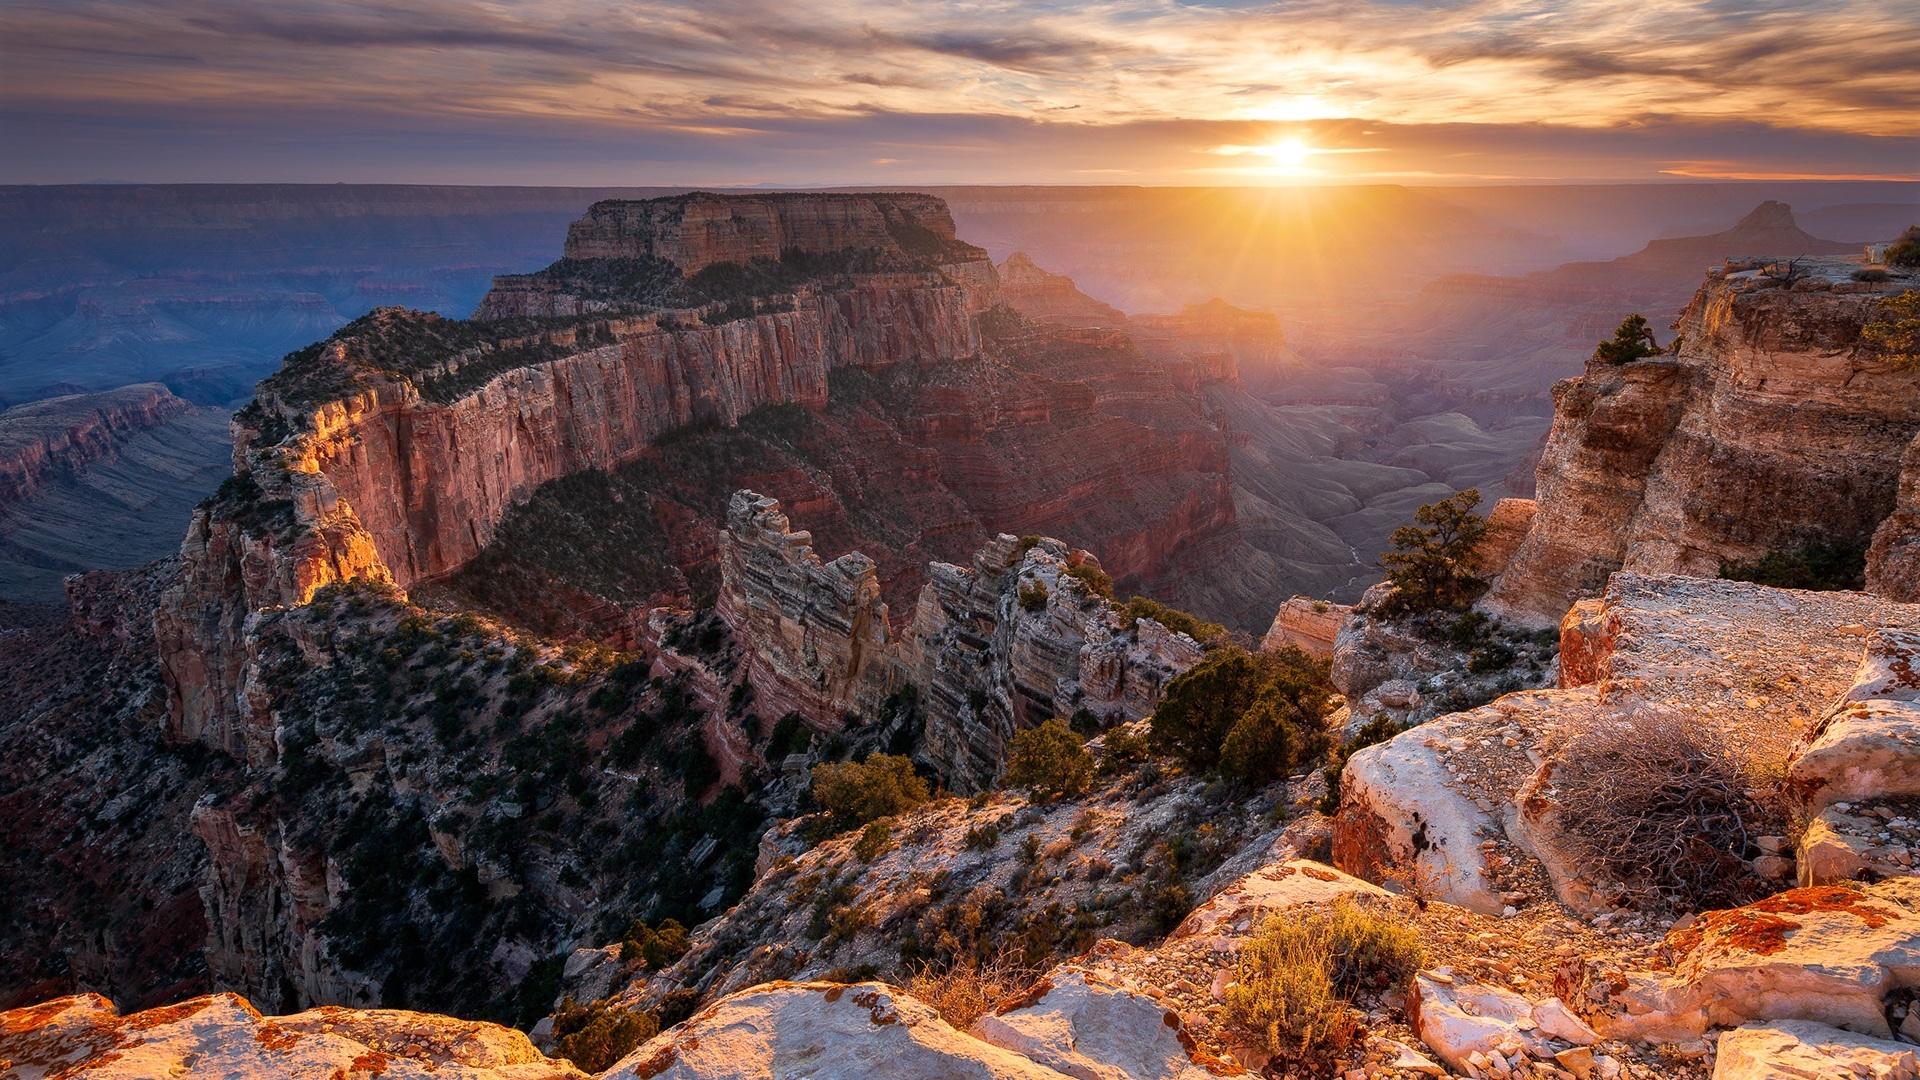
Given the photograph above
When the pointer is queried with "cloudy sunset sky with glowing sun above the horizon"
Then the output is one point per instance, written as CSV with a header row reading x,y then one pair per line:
x,y
972,91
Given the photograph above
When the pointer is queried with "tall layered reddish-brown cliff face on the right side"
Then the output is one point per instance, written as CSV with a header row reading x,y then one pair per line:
x,y
1765,430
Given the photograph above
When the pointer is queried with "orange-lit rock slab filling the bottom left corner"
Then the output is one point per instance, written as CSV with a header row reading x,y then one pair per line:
x,y
224,1037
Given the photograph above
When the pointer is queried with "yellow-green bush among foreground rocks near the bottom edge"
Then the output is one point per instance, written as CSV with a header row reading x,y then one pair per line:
x,y
1297,977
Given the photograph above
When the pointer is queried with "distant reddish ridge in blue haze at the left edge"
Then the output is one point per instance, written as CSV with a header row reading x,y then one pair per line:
x,y
45,439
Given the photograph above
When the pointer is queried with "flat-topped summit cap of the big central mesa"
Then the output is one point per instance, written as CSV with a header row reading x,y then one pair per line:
x,y
700,230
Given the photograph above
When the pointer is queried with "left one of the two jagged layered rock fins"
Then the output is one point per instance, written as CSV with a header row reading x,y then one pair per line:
x,y
817,633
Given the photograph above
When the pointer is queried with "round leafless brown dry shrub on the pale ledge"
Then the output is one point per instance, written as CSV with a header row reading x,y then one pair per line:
x,y
1664,808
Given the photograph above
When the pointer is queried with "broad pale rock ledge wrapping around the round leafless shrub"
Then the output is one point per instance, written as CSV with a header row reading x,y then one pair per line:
x,y
1464,806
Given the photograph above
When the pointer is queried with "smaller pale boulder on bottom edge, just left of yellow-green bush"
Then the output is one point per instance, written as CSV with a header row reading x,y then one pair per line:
x,y
1086,1027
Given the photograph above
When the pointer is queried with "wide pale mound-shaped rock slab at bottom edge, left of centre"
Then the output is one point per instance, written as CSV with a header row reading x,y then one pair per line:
x,y
823,1031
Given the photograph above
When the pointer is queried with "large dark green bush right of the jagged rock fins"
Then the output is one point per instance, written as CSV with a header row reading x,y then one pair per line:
x,y
1276,700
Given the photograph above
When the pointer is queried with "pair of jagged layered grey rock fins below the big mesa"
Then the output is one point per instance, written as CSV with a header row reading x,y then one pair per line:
x,y
994,649
